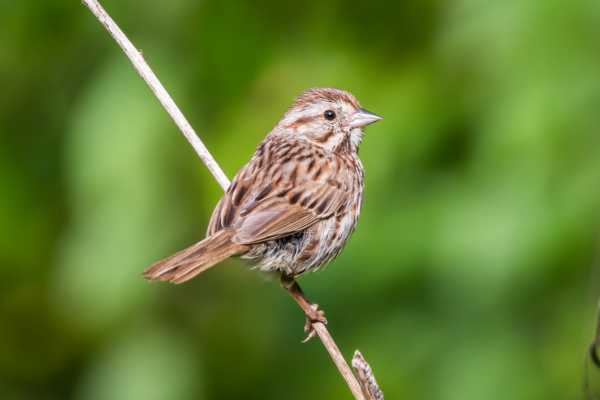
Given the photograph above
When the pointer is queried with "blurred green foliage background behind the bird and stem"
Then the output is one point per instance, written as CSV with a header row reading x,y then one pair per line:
x,y
471,274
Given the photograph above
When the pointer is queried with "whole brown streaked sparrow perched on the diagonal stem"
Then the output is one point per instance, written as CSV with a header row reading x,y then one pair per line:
x,y
292,208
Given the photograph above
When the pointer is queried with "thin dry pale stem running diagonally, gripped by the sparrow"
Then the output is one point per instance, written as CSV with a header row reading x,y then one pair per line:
x,y
144,70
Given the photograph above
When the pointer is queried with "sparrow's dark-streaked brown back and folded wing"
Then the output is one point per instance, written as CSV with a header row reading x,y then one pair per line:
x,y
270,200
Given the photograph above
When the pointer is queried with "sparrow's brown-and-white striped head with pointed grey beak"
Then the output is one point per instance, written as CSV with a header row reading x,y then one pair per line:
x,y
327,117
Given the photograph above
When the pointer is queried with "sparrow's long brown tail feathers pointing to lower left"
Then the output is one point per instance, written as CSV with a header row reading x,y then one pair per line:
x,y
190,262
